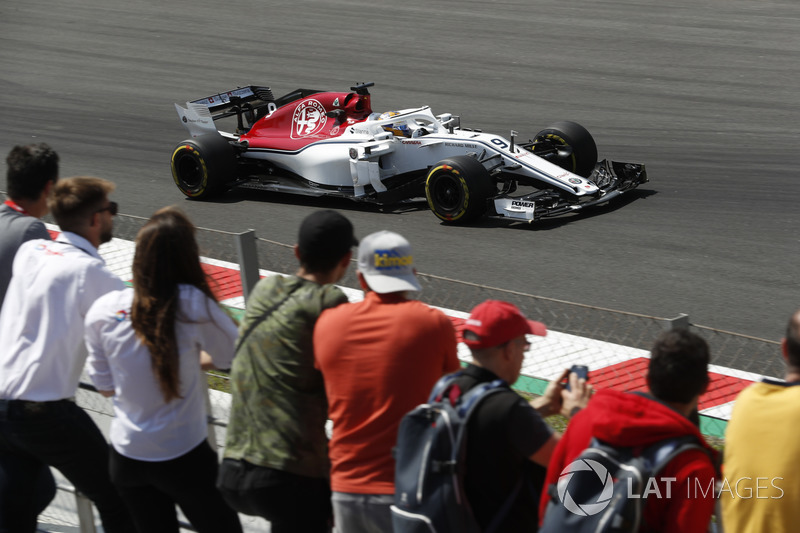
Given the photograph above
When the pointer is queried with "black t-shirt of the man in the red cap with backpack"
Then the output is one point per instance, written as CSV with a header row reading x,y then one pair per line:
x,y
503,433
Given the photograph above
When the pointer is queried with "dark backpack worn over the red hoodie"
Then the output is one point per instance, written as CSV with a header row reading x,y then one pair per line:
x,y
605,488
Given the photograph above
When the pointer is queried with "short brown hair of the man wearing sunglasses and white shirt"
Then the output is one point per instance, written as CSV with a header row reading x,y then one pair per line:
x,y
75,200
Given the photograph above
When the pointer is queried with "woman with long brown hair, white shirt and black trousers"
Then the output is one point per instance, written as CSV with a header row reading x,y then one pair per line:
x,y
147,345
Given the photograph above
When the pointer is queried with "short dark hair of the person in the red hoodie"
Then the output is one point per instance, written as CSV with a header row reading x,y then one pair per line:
x,y
678,369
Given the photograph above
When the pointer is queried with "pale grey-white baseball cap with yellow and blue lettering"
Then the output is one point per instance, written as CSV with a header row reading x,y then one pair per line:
x,y
385,261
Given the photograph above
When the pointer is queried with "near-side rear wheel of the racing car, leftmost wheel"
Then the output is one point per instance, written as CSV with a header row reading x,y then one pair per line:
x,y
203,167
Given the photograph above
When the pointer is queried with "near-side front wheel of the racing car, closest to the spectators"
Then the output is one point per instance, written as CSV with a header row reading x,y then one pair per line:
x,y
457,189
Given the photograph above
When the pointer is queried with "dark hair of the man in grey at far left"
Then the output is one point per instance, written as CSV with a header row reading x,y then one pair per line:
x,y
30,167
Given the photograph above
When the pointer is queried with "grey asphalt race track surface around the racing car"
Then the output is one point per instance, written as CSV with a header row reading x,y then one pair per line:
x,y
704,92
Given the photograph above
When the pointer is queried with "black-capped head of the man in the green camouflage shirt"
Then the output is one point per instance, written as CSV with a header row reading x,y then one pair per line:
x,y
324,239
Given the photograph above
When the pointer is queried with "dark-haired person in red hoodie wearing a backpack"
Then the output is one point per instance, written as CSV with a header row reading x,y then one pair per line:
x,y
677,375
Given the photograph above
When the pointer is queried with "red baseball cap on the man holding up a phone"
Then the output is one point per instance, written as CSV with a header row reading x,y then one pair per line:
x,y
495,322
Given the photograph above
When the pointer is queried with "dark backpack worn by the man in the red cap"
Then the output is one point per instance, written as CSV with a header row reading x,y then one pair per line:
x,y
429,469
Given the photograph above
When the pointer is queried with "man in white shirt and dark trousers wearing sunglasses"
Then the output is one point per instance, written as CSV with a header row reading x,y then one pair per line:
x,y
41,330
